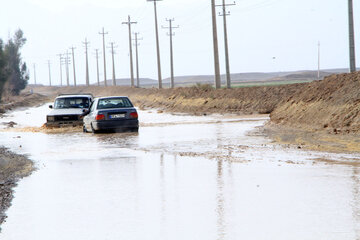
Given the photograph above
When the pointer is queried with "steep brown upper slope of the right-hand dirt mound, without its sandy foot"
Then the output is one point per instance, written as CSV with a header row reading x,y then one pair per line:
x,y
332,105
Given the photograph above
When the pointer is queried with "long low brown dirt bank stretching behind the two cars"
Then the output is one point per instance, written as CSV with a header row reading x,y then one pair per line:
x,y
194,100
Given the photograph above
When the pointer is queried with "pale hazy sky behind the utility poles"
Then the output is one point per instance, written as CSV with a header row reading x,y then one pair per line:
x,y
264,35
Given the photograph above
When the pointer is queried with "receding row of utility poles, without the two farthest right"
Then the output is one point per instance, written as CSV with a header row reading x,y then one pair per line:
x,y
66,60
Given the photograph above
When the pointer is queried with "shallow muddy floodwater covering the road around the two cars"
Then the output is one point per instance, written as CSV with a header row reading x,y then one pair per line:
x,y
182,177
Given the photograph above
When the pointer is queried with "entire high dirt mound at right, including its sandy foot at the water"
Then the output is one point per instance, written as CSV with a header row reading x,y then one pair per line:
x,y
323,115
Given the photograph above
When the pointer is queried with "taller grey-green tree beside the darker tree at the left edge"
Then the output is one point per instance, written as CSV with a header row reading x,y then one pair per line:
x,y
17,70
